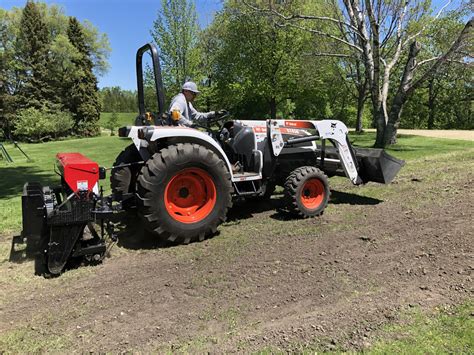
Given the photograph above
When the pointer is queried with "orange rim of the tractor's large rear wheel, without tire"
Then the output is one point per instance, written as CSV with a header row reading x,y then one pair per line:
x,y
190,196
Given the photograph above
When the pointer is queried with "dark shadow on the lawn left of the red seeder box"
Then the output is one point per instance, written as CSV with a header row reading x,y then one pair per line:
x,y
12,179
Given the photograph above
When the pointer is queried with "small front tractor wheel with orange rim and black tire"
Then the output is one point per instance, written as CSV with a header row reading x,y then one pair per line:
x,y
307,192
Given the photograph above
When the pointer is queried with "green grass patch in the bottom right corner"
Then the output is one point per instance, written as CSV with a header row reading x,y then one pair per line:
x,y
446,332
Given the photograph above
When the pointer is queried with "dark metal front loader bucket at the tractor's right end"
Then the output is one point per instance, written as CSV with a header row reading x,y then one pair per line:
x,y
376,165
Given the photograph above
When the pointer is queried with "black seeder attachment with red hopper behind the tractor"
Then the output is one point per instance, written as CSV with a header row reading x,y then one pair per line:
x,y
60,222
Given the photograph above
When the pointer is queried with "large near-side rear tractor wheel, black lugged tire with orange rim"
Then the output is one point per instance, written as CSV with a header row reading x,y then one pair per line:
x,y
184,193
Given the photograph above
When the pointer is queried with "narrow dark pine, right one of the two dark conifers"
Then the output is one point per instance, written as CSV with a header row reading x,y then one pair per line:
x,y
83,92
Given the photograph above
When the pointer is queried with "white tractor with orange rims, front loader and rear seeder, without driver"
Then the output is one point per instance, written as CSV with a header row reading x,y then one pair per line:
x,y
182,181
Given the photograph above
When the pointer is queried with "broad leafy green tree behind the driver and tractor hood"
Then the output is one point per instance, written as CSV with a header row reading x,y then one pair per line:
x,y
255,67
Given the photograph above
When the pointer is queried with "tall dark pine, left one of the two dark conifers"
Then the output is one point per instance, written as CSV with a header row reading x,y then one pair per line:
x,y
33,60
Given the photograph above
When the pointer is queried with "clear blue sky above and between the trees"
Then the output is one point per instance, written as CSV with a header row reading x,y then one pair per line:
x,y
127,23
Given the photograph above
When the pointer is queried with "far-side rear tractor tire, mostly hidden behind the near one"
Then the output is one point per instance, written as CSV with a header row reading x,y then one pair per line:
x,y
124,179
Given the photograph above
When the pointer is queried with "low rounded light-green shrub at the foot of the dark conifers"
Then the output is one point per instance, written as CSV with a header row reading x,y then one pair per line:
x,y
44,124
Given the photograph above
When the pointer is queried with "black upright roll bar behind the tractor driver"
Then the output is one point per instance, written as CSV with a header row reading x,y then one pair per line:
x,y
160,96
